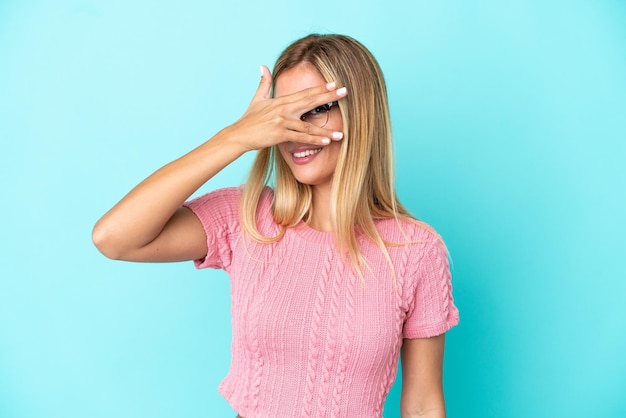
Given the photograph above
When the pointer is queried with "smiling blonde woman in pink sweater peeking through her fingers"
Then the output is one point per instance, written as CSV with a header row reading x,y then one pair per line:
x,y
331,278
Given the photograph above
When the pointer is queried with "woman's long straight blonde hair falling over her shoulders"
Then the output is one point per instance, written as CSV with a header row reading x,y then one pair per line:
x,y
362,188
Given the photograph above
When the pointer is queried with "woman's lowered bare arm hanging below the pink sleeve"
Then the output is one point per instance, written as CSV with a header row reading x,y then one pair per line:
x,y
422,387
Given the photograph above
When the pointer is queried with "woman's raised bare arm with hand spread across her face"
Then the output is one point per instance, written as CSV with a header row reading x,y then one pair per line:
x,y
148,224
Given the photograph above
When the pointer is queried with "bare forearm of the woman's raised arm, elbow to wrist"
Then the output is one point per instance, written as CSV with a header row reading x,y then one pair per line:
x,y
140,216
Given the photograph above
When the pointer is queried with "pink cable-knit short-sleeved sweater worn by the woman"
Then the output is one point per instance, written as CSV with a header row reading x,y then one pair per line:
x,y
309,338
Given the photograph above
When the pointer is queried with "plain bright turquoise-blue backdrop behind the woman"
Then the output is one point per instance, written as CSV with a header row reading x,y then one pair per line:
x,y
510,127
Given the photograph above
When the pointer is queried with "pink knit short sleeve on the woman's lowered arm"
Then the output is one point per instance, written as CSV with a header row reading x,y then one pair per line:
x,y
431,311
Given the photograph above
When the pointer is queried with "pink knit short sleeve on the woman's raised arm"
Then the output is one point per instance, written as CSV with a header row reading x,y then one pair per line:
x,y
219,213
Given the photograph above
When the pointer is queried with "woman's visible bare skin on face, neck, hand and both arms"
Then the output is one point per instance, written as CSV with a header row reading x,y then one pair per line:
x,y
169,232
